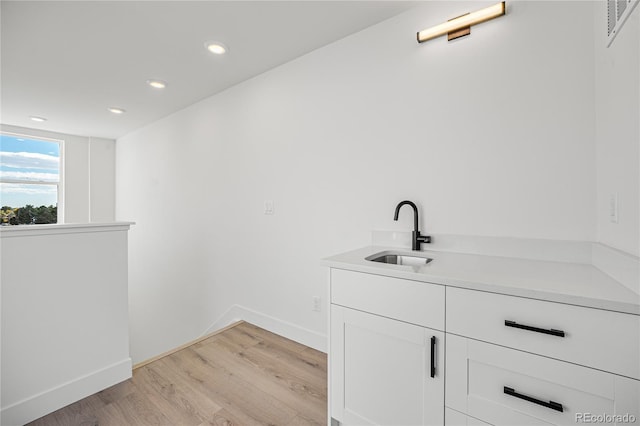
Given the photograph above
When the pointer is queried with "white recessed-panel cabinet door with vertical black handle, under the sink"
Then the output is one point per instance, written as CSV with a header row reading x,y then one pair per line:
x,y
383,371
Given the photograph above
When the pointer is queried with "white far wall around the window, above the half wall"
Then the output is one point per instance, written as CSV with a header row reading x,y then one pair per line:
x,y
89,175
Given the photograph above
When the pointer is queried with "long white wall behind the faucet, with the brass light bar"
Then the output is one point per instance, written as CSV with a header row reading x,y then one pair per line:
x,y
490,135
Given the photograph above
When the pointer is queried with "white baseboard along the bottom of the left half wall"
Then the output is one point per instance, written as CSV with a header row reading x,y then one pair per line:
x,y
46,402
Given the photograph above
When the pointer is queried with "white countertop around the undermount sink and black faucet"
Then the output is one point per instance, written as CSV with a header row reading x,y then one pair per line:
x,y
563,282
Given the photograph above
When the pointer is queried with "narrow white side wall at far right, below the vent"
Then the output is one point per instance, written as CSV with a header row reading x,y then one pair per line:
x,y
618,131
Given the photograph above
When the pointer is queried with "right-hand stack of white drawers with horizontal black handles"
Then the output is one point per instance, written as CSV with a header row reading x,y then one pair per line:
x,y
517,361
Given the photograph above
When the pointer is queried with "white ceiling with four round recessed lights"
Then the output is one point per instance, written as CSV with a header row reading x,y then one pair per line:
x,y
68,61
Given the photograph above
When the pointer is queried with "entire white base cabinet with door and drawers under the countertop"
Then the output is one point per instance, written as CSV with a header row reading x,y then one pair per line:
x,y
509,360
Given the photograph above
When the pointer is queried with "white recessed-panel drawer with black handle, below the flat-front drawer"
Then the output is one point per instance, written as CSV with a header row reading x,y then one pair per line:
x,y
505,386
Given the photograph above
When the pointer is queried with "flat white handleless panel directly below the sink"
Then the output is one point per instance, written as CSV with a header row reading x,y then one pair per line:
x,y
411,301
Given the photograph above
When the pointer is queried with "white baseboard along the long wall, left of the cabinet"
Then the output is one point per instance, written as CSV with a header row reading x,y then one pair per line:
x,y
286,329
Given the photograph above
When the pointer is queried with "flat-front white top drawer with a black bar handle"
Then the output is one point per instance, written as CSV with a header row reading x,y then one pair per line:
x,y
596,338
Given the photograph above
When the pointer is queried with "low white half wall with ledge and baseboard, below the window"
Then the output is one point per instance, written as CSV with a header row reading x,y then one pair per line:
x,y
64,322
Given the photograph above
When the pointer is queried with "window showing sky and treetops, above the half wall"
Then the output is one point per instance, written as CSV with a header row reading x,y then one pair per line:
x,y
30,183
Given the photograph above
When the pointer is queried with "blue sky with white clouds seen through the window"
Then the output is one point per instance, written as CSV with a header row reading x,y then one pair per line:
x,y
24,159
